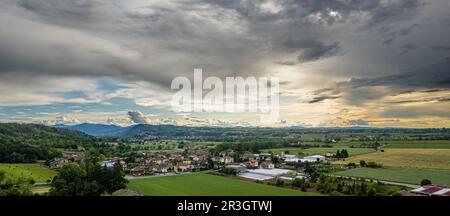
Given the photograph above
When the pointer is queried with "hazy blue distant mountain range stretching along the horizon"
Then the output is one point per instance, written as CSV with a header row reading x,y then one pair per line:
x,y
172,131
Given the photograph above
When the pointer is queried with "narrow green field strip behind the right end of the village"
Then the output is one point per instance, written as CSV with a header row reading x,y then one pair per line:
x,y
320,150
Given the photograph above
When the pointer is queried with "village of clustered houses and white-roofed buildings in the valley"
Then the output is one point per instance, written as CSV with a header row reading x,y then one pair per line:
x,y
247,165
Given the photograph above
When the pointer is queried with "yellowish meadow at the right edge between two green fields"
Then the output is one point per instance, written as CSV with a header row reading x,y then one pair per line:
x,y
407,157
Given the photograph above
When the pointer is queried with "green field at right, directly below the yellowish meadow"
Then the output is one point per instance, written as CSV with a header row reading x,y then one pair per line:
x,y
404,175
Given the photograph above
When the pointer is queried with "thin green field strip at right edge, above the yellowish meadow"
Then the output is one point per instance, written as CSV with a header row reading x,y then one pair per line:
x,y
437,144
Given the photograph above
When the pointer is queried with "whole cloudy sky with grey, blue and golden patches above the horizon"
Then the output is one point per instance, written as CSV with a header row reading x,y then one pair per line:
x,y
378,63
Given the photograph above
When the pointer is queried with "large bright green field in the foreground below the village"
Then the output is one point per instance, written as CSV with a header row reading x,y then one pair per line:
x,y
201,184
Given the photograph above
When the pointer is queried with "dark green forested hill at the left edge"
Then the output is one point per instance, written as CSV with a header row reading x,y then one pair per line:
x,y
31,142
